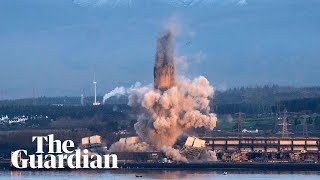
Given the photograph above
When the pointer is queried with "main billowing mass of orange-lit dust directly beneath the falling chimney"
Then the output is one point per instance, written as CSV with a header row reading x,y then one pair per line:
x,y
167,115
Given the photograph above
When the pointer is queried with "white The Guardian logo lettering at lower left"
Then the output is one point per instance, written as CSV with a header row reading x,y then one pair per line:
x,y
59,156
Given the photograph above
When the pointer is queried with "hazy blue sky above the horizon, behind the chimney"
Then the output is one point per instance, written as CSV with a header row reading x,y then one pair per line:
x,y
54,46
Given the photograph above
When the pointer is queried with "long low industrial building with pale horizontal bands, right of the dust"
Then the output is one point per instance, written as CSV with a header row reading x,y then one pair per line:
x,y
265,149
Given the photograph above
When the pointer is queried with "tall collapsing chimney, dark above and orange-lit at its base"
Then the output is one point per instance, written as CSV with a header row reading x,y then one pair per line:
x,y
164,68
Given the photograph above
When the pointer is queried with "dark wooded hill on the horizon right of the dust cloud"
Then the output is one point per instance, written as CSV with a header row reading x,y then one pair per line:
x,y
263,99
